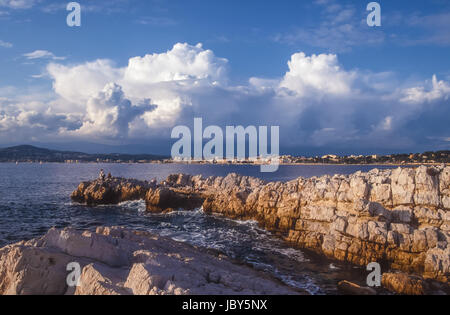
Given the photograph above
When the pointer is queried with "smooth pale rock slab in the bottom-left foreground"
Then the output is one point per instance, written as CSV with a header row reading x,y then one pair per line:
x,y
117,261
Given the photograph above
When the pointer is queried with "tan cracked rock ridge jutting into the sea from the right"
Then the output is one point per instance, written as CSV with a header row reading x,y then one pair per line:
x,y
400,217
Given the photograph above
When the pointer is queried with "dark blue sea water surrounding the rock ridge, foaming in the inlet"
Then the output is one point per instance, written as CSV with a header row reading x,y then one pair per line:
x,y
34,198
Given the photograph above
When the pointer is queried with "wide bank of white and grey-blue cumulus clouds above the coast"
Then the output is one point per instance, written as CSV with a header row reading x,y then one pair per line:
x,y
316,102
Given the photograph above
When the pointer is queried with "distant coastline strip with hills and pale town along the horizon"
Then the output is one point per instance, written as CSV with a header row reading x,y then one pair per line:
x,y
32,154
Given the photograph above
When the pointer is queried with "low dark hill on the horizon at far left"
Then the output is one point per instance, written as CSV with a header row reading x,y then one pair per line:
x,y
28,153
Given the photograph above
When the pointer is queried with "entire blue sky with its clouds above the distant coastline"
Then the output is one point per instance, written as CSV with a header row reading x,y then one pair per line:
x,y
135,69
